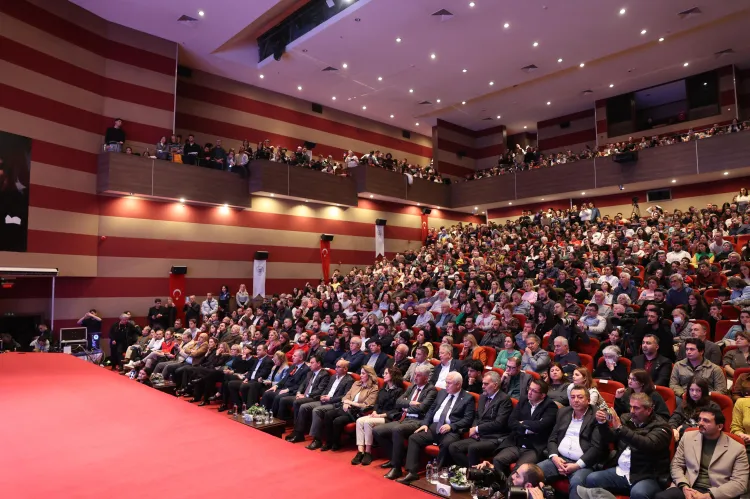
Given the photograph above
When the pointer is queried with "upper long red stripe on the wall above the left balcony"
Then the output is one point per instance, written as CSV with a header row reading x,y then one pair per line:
x,y
244,104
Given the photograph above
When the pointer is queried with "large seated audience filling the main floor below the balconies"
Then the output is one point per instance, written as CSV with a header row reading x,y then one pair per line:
x,y
581,352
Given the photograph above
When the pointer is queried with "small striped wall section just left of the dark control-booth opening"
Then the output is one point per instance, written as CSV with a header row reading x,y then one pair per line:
x,y
570,132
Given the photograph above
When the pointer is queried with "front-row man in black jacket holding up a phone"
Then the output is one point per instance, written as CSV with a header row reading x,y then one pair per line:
x,y
642,440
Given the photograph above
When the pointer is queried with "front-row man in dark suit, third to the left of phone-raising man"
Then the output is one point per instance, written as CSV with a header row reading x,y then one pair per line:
x,y
490,424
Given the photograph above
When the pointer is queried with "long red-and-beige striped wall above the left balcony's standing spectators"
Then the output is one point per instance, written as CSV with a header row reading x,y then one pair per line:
x,y
212,107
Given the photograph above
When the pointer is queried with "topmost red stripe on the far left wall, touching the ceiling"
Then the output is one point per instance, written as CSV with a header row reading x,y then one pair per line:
x,y
72,33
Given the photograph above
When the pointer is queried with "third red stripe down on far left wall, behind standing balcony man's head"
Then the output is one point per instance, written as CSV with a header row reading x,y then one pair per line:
x,y
58,112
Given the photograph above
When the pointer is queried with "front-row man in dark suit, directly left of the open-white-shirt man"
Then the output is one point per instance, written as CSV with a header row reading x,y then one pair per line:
x,y
530,425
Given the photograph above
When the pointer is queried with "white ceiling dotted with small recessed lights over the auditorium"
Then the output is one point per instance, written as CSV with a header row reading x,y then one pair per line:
x,y
589,31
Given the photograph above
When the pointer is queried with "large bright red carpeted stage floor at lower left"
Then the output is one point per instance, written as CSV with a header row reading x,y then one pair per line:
x,y
71,429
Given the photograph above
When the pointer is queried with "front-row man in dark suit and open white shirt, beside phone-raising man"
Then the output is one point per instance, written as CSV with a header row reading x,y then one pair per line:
x,y
575,443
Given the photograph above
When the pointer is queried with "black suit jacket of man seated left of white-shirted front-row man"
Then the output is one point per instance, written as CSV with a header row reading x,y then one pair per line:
x,y
540,423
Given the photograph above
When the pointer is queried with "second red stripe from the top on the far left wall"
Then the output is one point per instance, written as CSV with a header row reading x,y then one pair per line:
x,y
39,62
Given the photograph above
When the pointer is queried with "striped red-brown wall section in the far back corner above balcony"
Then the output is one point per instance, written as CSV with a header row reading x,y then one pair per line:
x,y
460,151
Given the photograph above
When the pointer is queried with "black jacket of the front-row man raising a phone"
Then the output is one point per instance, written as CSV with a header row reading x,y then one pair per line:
x,y
649,446
